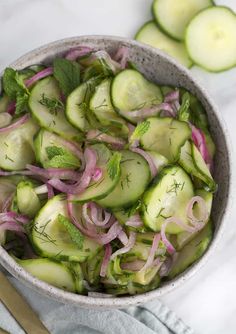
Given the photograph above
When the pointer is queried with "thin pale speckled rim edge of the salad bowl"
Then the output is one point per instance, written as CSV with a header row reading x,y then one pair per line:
x,y
119,302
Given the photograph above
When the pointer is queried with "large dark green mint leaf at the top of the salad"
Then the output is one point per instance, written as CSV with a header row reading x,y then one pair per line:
x,y
67,74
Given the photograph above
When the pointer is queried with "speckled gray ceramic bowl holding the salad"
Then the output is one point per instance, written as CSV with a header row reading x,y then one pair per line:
x,y
161,69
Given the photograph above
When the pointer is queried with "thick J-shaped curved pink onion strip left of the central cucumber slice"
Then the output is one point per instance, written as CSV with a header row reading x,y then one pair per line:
x,y
77,188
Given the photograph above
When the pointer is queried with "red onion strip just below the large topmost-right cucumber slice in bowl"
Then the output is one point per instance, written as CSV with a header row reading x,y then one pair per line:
x,y
151,111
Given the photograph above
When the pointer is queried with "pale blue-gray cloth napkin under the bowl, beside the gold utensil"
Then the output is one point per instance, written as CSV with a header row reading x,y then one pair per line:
x,y
149,318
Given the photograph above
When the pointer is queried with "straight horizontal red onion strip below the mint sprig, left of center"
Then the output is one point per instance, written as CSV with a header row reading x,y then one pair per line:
x,y
60,173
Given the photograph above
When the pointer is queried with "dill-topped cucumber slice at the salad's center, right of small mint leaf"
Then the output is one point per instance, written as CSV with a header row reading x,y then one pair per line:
x,y
135,176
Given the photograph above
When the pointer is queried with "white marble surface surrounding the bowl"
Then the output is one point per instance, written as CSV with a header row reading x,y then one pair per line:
x,y
208,301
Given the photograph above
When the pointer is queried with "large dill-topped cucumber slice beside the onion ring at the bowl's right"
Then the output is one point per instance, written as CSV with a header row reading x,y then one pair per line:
x,y
168,196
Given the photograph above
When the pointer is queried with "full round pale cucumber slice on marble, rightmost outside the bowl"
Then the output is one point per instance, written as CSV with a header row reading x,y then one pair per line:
x,y
211,39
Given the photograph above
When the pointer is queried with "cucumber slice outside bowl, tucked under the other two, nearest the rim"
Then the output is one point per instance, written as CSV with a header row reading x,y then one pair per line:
x,y
150,34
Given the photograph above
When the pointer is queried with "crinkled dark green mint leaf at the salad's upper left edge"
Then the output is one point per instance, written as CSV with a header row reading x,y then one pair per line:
x,y
12,84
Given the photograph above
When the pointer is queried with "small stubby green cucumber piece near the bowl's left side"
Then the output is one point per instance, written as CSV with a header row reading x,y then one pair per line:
x,y
28,201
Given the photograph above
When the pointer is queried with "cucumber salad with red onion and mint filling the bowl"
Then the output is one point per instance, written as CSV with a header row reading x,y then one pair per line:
x,y
106,182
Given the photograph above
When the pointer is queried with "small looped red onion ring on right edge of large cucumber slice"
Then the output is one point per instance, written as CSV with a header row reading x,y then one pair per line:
x,y
204,214
